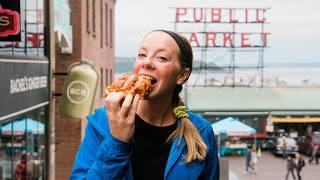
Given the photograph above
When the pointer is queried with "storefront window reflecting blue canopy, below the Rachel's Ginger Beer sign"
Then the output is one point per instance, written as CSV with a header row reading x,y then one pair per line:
x,y
24,137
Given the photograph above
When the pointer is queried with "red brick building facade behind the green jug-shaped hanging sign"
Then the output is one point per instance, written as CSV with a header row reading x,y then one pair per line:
x,y
91,41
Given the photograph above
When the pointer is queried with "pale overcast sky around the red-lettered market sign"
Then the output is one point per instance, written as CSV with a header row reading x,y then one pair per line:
x,y
294,25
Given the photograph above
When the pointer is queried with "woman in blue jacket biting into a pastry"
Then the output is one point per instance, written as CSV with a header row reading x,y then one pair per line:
x,y
154,138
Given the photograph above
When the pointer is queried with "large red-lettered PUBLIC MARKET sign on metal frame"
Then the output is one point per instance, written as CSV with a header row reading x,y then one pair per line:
x,y
216,20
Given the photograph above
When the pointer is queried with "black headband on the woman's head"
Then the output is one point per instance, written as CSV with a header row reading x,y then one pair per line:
x,y
183,49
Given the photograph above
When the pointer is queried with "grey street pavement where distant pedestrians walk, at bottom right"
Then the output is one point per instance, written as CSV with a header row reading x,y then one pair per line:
x,y
269,168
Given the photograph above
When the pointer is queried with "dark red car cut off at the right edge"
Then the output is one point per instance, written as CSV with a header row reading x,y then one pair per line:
x,y
305,143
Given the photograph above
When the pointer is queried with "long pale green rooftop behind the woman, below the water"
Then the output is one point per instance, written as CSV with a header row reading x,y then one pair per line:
x,y
229,99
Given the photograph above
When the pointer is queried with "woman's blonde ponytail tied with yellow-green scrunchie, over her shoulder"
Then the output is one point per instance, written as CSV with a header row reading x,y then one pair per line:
x,y
196,148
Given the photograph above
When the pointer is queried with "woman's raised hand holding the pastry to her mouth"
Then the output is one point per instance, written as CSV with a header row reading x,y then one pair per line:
x,y
121,111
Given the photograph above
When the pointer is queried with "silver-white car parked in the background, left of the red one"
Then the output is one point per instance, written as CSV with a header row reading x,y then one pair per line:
x,y
291,146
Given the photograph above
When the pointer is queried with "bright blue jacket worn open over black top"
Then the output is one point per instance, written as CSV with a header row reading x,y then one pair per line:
x,y
101,156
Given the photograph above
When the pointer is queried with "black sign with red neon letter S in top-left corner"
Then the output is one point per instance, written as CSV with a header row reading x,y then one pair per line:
x,y
10,20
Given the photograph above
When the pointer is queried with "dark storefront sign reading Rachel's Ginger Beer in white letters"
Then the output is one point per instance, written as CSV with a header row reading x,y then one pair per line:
x,y
24,85
